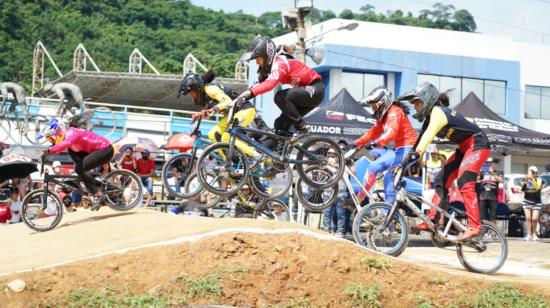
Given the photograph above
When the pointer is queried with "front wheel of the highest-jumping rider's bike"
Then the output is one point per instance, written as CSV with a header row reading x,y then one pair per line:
x,y
232,177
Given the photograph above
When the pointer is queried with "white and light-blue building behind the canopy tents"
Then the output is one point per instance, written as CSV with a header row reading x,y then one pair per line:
x,y
512,78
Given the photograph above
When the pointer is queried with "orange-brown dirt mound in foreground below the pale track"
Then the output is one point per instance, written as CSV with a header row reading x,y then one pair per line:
x,y
245,269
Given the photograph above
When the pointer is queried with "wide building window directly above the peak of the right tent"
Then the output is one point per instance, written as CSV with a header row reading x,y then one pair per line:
x,y
491,92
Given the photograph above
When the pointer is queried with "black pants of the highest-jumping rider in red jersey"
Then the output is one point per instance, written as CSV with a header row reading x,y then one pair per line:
x,y
295,103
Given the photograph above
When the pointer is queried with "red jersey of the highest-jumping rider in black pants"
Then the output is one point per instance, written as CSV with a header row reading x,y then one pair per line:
x,y
286,71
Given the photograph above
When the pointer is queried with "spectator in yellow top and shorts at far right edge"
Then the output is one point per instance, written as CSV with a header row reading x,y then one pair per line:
x,y
532,204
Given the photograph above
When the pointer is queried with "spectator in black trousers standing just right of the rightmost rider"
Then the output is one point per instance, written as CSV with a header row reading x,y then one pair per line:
x,y
488,195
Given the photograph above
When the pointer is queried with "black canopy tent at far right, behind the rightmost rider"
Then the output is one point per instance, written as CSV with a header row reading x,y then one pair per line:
x,y
498,130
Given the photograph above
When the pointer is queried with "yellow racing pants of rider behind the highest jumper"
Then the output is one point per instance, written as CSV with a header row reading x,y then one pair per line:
x,y
218,133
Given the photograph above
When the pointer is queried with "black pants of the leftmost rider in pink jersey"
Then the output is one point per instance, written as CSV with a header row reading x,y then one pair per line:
x,y
84,162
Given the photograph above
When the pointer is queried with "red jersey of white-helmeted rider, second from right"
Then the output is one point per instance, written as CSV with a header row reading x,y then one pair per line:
x,y
394,126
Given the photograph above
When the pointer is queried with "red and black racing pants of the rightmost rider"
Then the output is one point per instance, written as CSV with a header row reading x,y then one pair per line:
x,y
464,166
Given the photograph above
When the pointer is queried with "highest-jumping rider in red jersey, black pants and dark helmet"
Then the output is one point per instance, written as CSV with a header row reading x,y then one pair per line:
x,y
275,67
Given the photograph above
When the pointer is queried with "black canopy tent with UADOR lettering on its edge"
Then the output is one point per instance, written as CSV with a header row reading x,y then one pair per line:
x,y
341,118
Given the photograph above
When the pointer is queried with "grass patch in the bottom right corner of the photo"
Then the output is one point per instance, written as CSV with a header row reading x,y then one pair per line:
x,y
505,295
